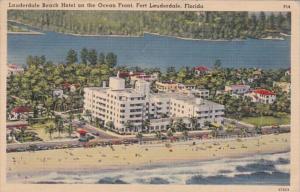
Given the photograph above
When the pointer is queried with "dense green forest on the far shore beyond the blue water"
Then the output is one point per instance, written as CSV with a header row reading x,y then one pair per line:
x,y
200,25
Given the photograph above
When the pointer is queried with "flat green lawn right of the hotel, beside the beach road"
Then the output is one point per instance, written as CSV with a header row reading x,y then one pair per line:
x,y
267,120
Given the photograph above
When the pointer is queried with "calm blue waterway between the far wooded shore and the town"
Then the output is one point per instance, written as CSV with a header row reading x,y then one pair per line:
x,y
155,51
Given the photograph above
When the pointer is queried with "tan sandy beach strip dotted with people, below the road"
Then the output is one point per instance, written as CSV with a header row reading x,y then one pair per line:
x,y
119,156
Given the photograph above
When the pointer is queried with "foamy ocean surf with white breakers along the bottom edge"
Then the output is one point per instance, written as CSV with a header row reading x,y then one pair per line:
x,y
267,169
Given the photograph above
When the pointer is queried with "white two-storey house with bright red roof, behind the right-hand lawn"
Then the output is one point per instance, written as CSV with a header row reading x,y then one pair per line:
x,y
262,96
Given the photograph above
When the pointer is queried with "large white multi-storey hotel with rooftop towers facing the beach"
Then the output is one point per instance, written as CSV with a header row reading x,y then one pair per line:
x,y
135,105
